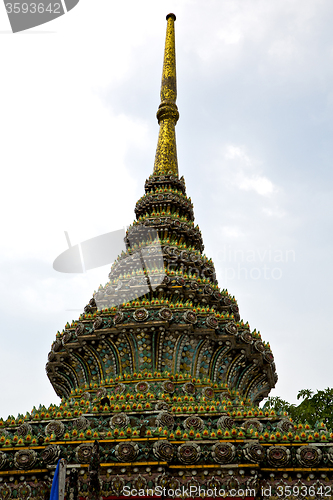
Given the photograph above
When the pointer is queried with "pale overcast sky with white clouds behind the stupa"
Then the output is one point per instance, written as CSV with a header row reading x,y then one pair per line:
x,y
78,136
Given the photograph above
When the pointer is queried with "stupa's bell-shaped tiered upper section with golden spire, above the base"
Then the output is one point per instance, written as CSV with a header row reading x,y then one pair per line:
x,y
162,309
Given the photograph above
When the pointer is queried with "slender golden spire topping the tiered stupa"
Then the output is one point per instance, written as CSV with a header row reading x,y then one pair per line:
x,y
167,114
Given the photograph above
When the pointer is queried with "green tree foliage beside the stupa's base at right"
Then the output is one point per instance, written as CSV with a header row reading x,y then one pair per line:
x,y
315,407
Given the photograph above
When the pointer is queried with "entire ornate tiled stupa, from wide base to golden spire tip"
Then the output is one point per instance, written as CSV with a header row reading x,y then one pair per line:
x,y
160,378
